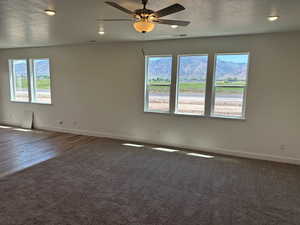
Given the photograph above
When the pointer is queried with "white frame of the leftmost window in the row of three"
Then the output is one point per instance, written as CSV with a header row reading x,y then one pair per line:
x,y
146,87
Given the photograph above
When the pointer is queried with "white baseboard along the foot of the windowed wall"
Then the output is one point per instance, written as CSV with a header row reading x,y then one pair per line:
x,y
242,154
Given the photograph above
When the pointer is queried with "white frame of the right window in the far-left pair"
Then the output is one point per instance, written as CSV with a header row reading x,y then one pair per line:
x,y
33,81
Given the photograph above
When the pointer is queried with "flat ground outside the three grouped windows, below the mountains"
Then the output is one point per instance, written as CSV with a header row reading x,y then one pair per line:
x,y
228,100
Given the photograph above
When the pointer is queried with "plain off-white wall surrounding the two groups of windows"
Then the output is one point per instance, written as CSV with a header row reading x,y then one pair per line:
x,y
100,87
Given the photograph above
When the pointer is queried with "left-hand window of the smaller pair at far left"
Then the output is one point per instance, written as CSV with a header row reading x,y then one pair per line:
x,y
19,80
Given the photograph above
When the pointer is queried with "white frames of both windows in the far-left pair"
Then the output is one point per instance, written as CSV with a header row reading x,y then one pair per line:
x,y
30,78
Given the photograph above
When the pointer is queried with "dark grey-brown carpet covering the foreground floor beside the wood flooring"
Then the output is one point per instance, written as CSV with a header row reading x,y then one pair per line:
x,y
104,183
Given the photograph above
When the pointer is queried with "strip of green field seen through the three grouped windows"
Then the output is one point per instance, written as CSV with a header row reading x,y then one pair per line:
x,y
198,87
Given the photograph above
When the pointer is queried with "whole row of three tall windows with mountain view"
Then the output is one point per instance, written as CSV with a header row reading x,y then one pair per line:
x,y
183,92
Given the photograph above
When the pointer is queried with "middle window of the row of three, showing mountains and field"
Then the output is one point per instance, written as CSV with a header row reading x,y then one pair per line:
x,y
191,84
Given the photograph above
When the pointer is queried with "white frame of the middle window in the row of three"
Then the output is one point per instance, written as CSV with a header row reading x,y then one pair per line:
x,y
177,85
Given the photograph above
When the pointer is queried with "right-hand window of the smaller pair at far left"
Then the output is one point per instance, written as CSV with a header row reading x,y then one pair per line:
x,y
40,80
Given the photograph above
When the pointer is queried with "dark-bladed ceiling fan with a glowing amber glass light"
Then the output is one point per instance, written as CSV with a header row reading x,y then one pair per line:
x,y
144,20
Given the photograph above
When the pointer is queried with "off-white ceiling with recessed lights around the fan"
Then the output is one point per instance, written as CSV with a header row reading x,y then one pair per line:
x,y
23,23
